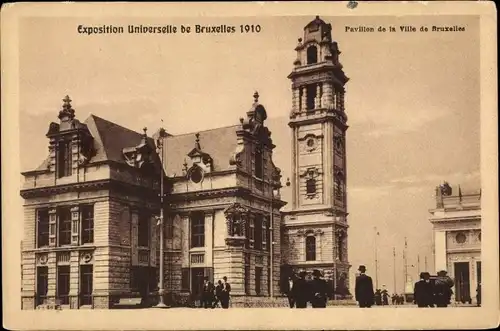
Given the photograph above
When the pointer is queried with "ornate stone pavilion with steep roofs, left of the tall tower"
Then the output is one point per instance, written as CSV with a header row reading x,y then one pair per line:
x,y
221,208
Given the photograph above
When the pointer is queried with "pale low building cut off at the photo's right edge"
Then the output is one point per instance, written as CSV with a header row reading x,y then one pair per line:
x,y
456,221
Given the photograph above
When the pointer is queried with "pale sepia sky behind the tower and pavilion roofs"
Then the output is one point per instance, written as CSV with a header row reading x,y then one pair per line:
x,y
412,104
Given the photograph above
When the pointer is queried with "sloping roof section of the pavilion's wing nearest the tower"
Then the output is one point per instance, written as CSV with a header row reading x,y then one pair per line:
x,y
219,143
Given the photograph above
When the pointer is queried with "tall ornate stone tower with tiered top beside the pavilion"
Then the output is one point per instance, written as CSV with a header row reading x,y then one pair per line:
x,y
315,229
